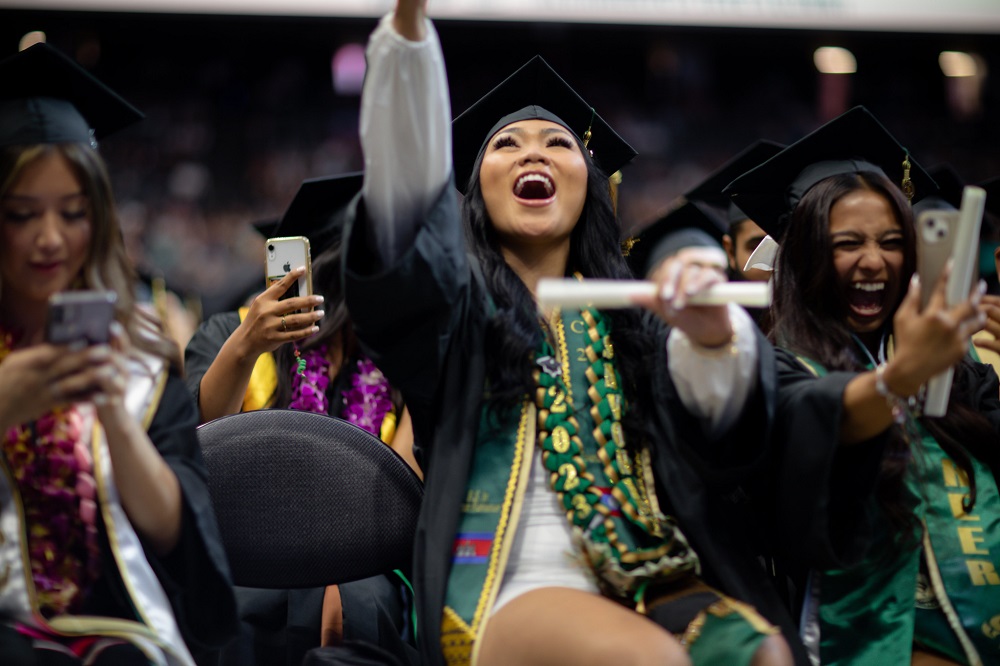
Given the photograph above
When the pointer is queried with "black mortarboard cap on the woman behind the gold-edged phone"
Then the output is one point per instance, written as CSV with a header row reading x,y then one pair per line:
x,y
319,209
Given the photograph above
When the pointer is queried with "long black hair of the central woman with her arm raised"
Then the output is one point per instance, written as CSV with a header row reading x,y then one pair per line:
x,y
514,333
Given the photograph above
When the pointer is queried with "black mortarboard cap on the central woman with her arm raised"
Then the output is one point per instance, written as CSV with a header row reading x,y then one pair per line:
x,y
533,91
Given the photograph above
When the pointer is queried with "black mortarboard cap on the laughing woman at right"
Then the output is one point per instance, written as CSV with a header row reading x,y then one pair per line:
x,y
854,142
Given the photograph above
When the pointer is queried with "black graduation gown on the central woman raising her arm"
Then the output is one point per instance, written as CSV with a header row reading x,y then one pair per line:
x,y
422,320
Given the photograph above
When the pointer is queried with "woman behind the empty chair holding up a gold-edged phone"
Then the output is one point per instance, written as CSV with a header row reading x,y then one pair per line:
x,y
300,352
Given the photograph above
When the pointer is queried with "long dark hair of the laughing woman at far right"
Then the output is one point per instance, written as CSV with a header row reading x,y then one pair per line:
x,y
809,317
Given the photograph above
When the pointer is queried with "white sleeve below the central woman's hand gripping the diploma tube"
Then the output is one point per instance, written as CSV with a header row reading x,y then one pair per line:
x,y
711,385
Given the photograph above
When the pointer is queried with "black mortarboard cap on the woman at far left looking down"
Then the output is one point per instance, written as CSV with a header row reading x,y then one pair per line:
x,y
47,98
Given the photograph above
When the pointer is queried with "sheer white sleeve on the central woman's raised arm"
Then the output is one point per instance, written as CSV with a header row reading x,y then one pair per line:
x,y
405,133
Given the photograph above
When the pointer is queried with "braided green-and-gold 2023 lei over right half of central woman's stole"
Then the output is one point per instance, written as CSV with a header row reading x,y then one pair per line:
x,y
608,493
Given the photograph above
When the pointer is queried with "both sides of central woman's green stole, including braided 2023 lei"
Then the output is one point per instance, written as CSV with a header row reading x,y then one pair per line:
x,y
607,492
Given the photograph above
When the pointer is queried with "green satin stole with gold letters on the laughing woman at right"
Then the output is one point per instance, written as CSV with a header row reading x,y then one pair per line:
x,y
942,592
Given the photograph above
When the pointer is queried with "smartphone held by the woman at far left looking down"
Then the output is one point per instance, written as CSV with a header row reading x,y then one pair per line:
x,y
76,316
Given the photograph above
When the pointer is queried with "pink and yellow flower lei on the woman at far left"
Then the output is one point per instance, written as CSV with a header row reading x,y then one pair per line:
x,y
53,472
